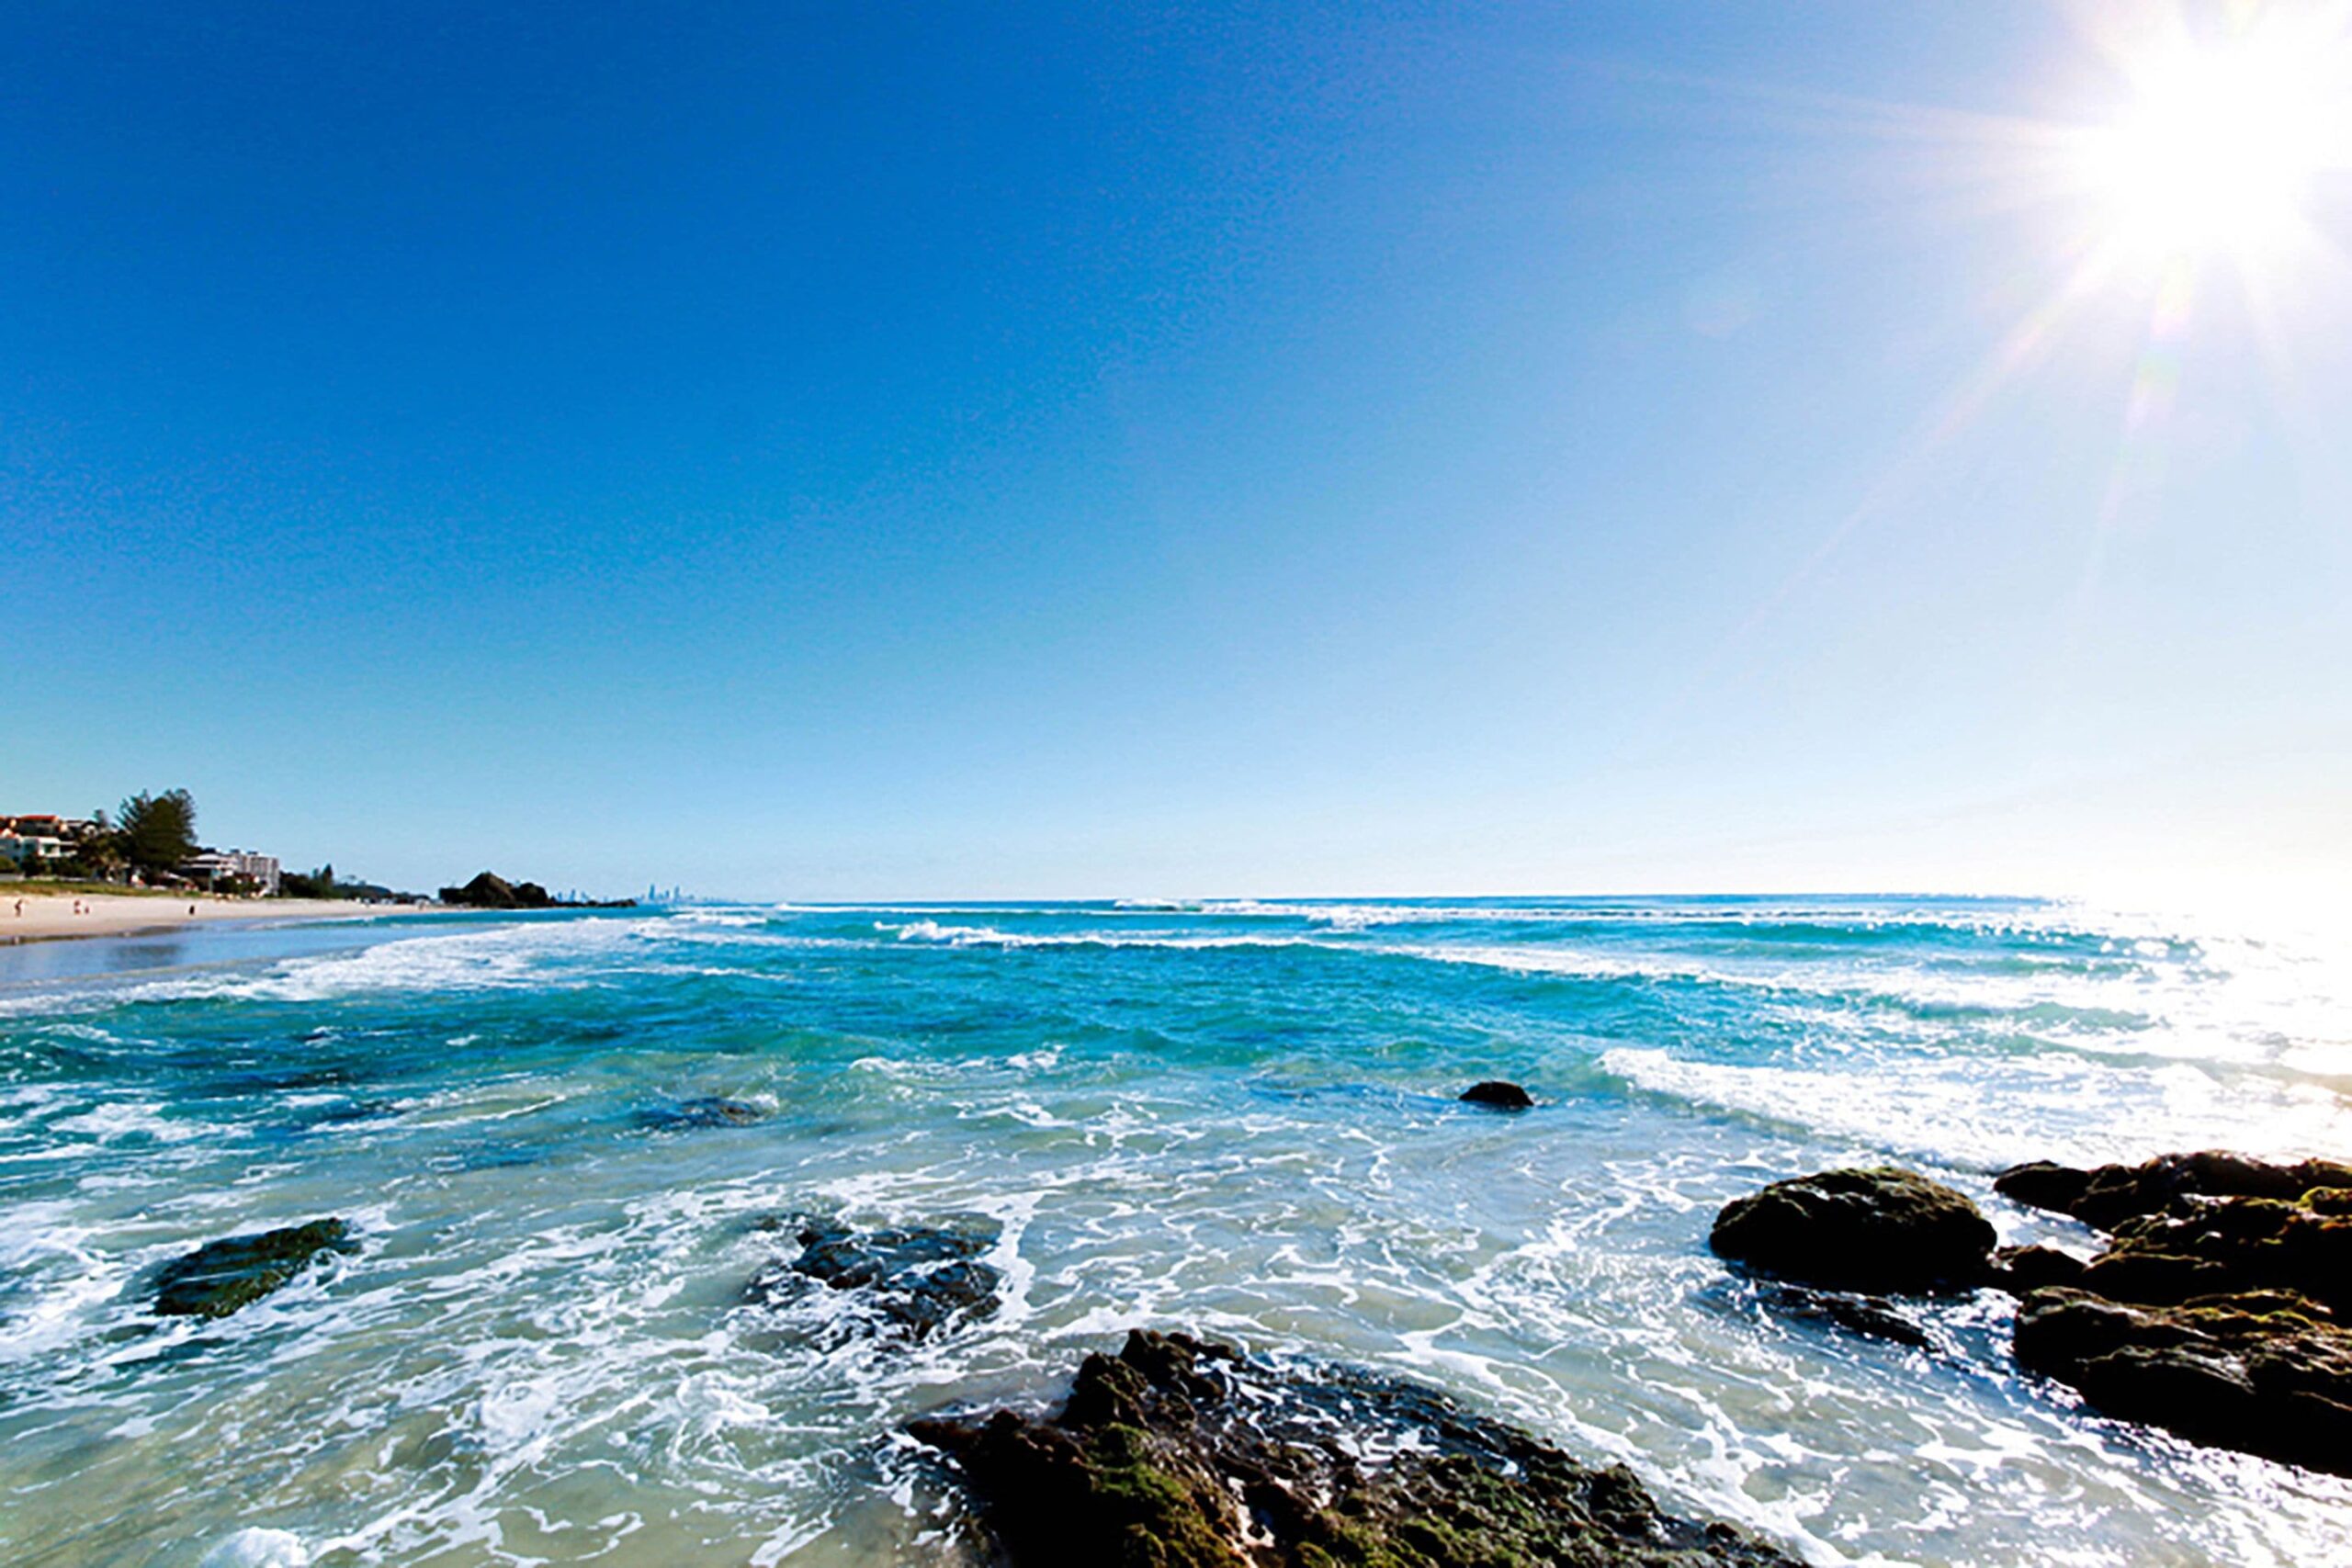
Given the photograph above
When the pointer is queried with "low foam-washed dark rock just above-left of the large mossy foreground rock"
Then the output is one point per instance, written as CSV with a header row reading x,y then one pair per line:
x,y
916,1278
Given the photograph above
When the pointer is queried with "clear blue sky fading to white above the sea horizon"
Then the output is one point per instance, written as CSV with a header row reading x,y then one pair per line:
x,y
935,450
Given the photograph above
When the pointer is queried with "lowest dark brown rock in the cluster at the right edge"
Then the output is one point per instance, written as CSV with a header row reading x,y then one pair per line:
x,y
2264,1374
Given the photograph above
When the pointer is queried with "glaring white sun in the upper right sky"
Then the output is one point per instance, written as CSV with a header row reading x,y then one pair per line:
x,y
2219,152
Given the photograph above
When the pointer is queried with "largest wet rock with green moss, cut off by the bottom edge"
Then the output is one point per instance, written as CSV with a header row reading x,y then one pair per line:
x,y
1182,1454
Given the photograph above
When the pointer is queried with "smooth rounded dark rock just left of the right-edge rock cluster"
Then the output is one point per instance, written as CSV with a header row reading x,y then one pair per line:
x,y
1859,1231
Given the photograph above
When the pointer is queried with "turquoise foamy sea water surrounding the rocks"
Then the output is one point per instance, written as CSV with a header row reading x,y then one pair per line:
x,y
1227,1118
